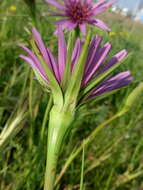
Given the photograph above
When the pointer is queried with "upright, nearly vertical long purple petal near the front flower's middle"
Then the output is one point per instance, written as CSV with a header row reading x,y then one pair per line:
x,y
62,52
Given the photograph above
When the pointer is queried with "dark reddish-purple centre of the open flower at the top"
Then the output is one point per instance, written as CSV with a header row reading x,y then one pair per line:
x,y
78,12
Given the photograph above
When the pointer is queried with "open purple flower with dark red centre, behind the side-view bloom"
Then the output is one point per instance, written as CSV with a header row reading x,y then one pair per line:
x,y
78,13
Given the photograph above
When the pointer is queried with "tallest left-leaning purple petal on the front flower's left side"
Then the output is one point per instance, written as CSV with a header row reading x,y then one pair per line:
x,y
41,47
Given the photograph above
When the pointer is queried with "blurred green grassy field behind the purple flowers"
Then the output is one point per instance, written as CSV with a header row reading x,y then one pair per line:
x,y
113,159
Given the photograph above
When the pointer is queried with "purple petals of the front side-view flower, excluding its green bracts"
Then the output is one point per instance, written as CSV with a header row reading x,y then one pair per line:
x,y
95,64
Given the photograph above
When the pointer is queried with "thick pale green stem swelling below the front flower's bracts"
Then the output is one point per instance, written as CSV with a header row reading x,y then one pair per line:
x,y
59,126
